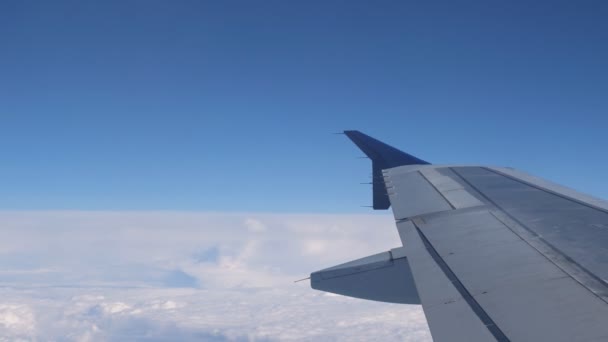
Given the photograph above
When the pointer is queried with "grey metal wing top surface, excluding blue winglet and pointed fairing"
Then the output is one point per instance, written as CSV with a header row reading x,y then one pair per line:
x,y
515,249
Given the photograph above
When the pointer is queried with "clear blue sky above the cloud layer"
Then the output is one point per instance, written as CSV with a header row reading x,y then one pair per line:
x,y
230,105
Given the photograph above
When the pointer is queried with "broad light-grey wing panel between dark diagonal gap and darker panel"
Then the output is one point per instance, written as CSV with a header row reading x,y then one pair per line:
x,y
527,296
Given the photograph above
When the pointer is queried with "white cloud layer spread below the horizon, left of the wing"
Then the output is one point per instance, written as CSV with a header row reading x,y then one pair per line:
x,y
94,276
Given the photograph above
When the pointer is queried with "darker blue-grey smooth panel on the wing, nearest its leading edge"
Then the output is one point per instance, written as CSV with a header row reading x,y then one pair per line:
x,y
572,227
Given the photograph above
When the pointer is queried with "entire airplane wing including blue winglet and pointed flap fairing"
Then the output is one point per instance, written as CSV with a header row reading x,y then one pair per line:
x,y
491,253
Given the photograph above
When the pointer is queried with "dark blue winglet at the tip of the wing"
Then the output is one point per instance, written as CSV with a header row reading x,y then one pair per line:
x,y
383,156
